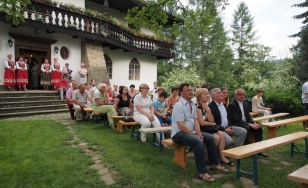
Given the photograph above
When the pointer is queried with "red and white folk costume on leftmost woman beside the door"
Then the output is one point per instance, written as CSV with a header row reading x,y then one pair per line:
x,y
9,74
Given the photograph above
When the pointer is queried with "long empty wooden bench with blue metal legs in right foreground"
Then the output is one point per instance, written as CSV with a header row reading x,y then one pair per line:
x,y
258,147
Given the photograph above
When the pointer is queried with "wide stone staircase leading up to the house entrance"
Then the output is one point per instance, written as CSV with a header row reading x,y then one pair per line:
x,y
33,102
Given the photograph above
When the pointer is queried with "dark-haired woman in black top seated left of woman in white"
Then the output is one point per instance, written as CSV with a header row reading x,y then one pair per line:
x,y
122,103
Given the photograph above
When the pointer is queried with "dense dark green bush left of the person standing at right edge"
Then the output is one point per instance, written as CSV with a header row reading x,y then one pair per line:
x,y
287,101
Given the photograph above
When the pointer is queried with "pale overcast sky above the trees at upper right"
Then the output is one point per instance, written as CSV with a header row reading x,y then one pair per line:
x,y
273,20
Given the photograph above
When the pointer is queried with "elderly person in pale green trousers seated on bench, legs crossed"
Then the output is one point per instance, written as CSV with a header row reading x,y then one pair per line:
x,y
101,103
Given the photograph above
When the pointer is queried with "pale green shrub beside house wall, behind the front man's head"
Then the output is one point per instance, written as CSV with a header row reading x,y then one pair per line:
x,y
180,75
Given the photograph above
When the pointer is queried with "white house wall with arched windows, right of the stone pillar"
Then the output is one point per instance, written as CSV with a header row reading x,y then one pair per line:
x,y
120,67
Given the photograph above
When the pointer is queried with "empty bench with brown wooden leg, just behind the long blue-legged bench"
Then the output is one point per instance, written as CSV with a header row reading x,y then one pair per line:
x,y
272,126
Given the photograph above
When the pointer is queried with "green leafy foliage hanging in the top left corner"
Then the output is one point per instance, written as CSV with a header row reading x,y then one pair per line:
x,y
14,10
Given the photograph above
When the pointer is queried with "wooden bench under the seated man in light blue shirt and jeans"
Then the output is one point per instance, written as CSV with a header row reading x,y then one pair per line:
x,y
180,152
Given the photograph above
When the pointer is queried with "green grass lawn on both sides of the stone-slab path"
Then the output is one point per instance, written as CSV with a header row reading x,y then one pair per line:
x,y
36,154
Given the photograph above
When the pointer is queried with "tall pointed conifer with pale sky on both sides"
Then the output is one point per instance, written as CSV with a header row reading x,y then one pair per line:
x,y
243,35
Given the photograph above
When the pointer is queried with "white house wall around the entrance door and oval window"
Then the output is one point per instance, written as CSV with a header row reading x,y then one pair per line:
x,y
73,46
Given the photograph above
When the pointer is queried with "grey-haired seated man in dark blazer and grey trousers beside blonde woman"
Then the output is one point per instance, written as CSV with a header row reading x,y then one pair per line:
x,y
219,113
